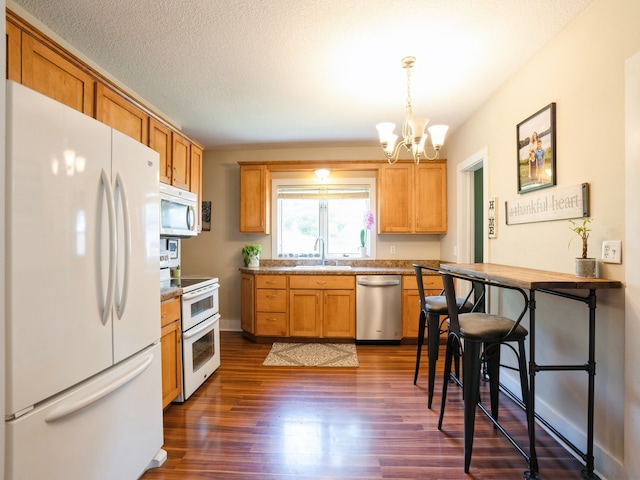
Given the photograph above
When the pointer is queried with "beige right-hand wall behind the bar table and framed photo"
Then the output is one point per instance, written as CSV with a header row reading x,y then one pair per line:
x,y
582,70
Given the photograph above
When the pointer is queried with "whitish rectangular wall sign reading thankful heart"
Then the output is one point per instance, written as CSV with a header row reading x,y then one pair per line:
x,y
558,204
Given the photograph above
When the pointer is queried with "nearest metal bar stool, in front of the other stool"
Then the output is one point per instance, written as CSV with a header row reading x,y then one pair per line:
x,y
477,335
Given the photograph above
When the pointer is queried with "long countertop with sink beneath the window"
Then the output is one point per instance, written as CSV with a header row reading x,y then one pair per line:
x,y
357,267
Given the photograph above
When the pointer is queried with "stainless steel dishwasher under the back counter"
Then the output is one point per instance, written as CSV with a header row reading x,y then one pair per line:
x,y
378,307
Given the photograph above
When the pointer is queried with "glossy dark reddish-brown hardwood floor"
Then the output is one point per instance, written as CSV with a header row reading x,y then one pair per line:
x,y
253,422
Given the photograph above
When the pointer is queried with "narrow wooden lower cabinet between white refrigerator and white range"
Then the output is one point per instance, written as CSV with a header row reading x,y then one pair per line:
x,y
171,350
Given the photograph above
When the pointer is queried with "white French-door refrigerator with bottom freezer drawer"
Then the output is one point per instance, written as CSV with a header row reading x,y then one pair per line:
x,y
83,370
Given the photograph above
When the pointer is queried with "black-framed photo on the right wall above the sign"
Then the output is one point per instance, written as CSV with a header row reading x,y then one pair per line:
x,y
536,138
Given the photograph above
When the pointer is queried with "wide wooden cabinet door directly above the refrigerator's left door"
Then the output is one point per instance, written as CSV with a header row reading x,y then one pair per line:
x,y
46,71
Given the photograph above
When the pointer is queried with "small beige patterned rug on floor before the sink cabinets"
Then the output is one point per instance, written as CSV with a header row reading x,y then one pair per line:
x,y
312,355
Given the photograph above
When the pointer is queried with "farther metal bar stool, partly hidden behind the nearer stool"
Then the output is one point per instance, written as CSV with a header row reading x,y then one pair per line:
x,y
432,308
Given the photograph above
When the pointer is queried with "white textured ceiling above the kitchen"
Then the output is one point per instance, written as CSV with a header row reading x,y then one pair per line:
x,y
238,73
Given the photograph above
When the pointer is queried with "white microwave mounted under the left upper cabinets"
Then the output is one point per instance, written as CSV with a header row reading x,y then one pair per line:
x,y
178,212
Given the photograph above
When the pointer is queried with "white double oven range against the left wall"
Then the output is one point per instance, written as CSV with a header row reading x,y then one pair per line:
x,y
200,319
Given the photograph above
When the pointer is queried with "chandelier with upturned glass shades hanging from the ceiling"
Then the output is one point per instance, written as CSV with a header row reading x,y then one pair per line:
x,y
414,137
